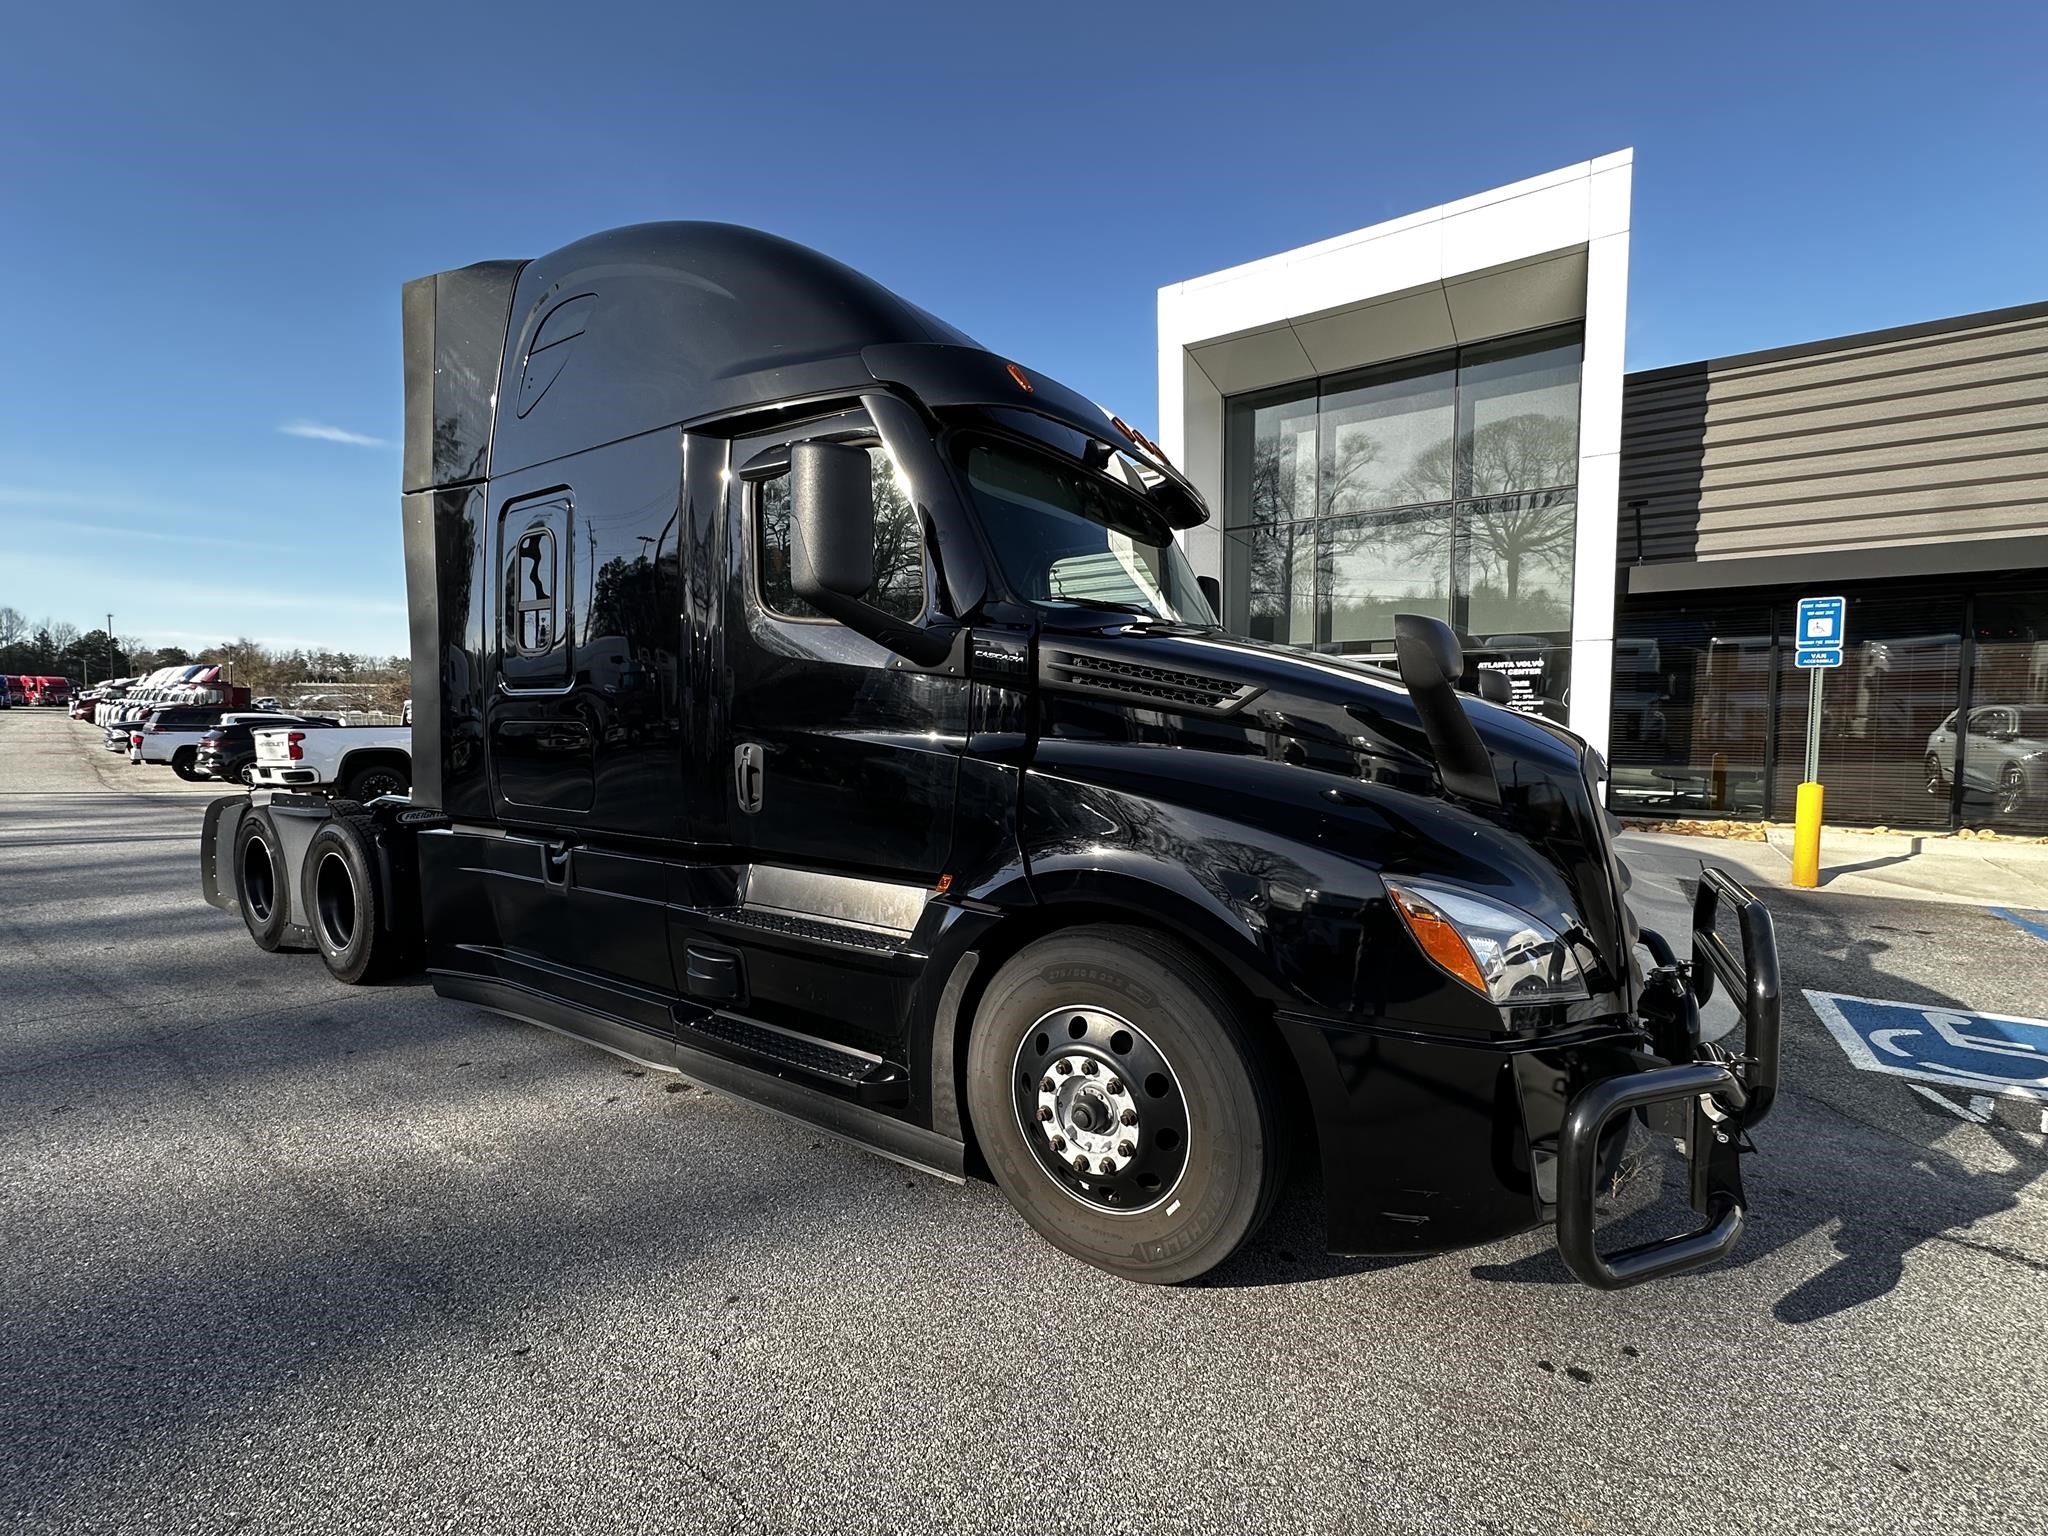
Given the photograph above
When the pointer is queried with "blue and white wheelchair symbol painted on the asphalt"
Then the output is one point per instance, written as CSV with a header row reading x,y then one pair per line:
x,y
1940,1046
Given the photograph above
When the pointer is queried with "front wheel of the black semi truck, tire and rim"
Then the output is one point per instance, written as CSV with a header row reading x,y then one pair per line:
x,y
1117,1050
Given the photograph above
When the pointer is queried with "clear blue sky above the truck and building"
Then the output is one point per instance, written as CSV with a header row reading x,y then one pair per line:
x,y
208,212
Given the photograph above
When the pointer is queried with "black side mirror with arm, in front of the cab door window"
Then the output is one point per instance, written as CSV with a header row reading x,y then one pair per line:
x,y
833,550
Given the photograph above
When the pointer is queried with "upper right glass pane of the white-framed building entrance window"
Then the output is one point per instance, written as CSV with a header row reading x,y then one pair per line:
x,y
1519,417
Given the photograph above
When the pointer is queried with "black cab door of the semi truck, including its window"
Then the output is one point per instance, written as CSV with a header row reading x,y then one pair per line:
x,y
843,759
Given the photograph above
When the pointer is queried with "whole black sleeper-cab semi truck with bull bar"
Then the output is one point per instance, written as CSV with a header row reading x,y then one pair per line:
x,y
818,706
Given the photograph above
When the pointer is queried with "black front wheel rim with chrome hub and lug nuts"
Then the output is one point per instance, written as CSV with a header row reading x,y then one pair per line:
x,y
1101,1109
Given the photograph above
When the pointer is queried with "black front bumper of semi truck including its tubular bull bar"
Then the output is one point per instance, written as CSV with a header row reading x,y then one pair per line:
x,y
1433,1144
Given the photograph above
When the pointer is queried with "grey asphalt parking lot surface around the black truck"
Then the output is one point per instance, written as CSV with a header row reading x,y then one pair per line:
x,y
280,1254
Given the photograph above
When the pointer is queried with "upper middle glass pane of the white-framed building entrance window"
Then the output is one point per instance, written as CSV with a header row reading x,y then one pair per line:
x,y
1388,439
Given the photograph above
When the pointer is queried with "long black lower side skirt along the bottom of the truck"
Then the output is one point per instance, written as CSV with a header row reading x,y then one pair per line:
x,y
900,1142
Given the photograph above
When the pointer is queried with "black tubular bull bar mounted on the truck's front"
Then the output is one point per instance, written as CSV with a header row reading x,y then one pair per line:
x,y
1709,1097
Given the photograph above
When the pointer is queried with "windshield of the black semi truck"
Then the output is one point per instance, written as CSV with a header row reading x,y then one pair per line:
x,y
1072,540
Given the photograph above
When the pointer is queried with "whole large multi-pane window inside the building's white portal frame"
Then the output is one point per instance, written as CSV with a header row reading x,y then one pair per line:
x,y
1441,484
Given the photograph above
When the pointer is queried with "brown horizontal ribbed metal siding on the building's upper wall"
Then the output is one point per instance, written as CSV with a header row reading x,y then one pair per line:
x,y
1897,439
